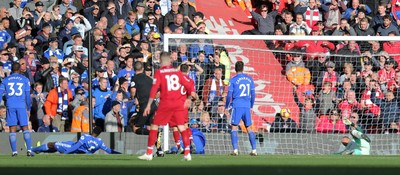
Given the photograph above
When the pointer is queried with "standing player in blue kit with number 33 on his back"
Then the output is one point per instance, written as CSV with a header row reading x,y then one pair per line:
x,y
17,91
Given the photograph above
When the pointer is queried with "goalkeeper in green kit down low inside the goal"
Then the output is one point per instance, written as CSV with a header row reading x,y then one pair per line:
x,y
360,145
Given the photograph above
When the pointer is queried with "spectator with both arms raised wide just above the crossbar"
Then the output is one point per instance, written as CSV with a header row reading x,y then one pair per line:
x,y
264,20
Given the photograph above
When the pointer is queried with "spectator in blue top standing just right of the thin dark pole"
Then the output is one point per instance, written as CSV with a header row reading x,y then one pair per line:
x,y
103,102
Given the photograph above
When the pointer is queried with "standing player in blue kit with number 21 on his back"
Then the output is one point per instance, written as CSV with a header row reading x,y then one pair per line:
x,y
241,90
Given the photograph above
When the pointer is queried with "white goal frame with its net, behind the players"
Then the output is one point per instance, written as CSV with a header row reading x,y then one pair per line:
x,y
305,87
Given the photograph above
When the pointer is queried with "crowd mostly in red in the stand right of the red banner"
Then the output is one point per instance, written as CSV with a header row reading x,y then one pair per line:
x,y
337,80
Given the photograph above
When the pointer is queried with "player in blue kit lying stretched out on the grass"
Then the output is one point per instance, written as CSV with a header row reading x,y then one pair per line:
x,y
87,144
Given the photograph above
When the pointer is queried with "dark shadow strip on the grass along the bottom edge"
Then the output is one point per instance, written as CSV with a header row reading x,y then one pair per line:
x,y
203,170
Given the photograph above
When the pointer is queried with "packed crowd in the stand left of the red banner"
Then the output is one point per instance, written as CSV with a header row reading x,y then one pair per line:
x,y
55,40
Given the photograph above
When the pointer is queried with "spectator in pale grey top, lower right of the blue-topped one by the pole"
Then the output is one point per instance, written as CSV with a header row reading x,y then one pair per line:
x,y
114,119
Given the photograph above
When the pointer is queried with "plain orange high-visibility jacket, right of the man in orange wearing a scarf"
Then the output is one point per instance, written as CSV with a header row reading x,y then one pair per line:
x,y
79,122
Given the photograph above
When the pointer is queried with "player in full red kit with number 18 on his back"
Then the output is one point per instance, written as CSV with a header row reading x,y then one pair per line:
x,y
172,107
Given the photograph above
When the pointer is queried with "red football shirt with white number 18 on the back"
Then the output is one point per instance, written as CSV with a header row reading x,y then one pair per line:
x,y
173,87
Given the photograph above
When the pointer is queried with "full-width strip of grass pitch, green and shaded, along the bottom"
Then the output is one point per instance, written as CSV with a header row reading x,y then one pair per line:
x,y
201,164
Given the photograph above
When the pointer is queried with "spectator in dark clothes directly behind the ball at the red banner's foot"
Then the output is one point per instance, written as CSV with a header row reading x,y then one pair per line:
x,y
283,124
